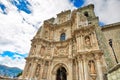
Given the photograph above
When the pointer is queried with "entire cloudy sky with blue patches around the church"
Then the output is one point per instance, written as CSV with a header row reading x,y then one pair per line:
x,y
20,20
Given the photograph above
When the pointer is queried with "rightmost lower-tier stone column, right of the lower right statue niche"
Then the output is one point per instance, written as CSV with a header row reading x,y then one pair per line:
x,y
99,67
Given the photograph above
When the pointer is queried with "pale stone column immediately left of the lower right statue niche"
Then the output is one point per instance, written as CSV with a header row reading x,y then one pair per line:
x,y
85,67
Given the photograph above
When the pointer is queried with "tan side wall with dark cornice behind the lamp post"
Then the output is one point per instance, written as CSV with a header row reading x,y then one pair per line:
x,y
112,31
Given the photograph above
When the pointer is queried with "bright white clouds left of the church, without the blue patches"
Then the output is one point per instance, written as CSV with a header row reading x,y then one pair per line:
x,y
15,33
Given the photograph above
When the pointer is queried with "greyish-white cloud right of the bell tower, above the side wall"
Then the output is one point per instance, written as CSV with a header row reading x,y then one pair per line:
x,y
107,10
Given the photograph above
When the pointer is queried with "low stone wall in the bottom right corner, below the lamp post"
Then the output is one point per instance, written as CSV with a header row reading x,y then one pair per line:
x,y
114,73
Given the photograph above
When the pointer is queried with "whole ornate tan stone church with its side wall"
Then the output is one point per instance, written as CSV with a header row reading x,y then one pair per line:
x,y
73,46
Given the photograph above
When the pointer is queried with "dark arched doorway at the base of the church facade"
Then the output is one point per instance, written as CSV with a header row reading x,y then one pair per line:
x,y
61,74
